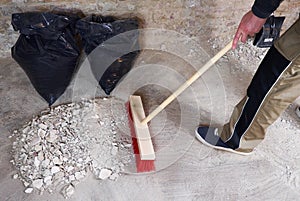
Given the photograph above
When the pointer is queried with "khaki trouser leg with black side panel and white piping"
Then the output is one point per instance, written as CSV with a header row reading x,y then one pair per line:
x,y
274,87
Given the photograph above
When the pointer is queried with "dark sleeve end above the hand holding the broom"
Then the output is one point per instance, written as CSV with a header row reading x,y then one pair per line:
x,y
264,8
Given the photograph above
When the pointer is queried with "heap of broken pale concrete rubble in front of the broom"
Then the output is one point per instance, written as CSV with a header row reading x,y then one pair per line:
x,y
61,146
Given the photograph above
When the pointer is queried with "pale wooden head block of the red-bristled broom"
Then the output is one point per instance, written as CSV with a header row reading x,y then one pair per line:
x,y
142,130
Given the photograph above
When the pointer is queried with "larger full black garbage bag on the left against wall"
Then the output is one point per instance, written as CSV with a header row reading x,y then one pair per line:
x,y
46,50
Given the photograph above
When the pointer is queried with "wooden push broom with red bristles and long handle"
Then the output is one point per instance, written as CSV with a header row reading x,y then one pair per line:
x,y
141,139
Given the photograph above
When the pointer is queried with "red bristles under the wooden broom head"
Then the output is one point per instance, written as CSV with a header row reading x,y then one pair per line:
x,y
141,165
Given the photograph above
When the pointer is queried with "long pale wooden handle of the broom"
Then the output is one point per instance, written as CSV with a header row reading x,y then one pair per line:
x,y
202,70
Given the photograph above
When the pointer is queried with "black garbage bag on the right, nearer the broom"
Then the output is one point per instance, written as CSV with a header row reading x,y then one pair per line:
x,y
112,46
